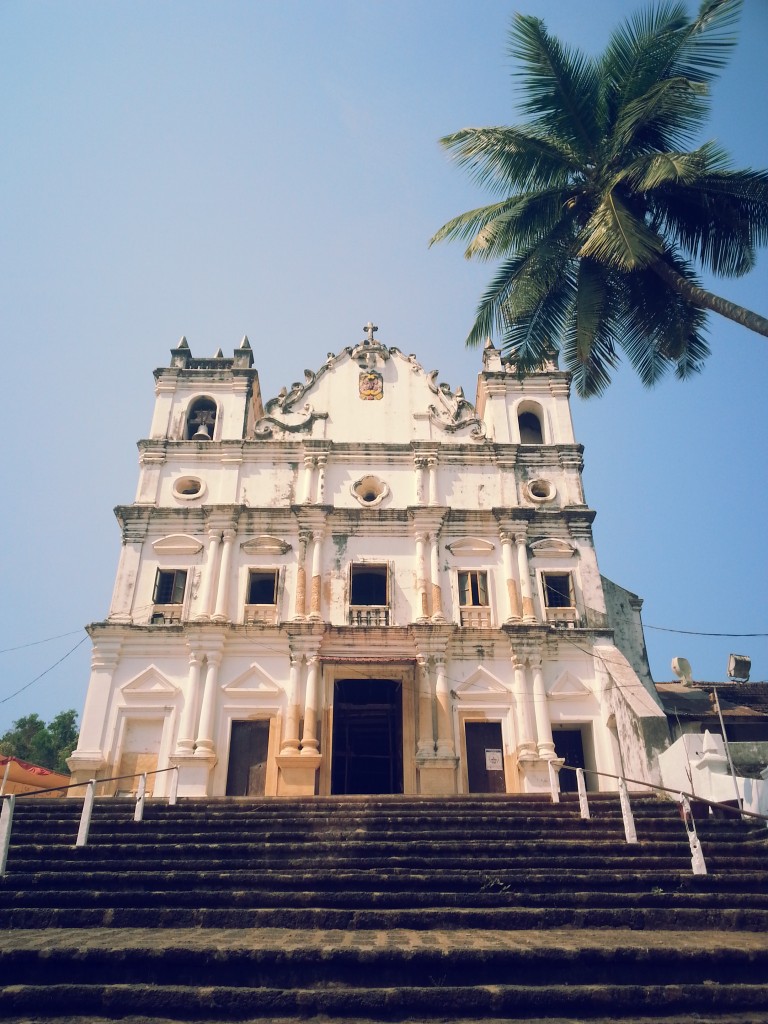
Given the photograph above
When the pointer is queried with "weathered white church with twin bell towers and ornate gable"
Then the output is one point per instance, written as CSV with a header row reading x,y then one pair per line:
x,y
366,585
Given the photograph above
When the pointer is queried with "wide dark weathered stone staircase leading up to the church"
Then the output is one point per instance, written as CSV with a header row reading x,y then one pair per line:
x,y
381,910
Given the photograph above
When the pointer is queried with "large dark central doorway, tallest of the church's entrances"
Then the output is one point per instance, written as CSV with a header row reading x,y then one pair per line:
x,y
368,737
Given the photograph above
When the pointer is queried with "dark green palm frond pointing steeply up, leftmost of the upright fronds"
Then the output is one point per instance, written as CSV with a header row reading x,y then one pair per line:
x,y
563,87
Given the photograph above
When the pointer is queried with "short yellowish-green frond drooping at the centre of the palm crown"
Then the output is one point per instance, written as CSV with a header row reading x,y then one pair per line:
x,y
618,238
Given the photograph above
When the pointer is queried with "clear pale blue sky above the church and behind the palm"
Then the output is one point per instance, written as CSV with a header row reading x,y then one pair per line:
x,y
272,168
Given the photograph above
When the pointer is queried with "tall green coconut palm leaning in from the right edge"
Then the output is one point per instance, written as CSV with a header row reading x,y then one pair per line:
x,y
605,214
